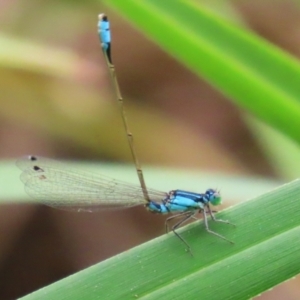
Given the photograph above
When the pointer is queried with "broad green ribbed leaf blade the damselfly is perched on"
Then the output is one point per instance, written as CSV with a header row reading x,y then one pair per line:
x,y
266,252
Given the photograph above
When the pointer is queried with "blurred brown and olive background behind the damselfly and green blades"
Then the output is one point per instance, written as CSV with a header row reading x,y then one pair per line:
x,y
57,101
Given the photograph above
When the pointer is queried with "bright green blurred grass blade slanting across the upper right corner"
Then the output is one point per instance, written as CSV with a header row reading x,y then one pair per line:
x,y
258,76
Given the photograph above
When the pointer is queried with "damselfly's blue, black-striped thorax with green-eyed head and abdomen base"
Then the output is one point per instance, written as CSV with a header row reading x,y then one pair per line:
x,y
181,201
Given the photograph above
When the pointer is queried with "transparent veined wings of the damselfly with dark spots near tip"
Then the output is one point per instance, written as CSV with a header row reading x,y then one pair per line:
x,y
57,185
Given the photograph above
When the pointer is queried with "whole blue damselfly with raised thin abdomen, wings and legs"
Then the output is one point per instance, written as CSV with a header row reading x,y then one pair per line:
x,y
57,185
